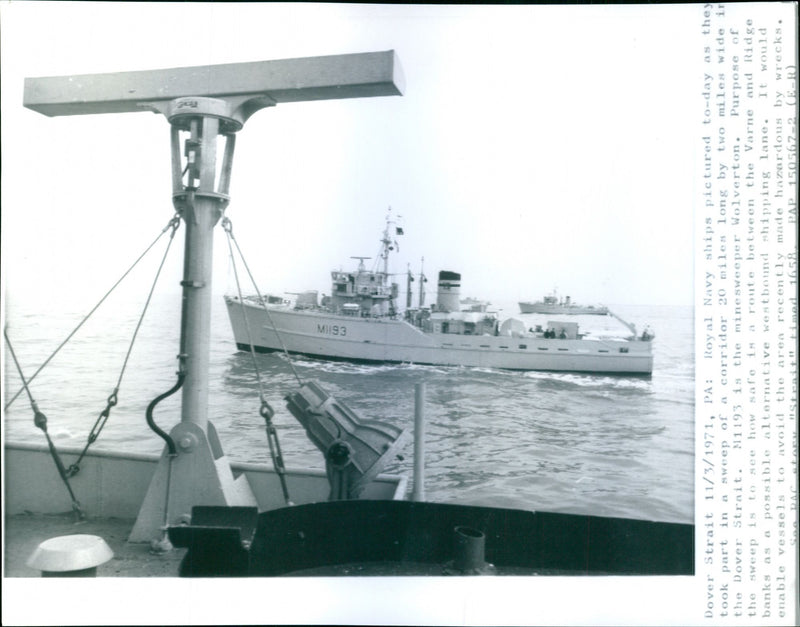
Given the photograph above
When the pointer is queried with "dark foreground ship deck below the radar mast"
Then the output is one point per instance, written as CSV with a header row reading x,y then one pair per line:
x,y
383,536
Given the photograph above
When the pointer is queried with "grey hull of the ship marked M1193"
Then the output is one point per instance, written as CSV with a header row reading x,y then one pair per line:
x,y
385,340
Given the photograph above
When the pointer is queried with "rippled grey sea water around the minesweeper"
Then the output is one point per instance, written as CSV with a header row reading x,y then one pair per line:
x,y
613,446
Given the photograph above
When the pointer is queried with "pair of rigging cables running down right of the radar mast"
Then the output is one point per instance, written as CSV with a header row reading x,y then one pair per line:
x,y
266,410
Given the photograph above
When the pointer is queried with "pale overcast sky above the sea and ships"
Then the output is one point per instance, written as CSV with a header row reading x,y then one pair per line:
x,y
535,148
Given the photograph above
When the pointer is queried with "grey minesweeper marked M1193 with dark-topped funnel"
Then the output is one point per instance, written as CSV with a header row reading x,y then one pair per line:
x,y
360,322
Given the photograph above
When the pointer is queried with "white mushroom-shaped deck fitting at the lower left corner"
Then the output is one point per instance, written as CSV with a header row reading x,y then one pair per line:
x,y
76,555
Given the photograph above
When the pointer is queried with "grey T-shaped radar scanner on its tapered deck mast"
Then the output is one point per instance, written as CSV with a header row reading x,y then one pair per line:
x,y
202,104
